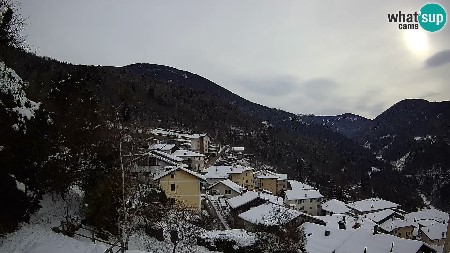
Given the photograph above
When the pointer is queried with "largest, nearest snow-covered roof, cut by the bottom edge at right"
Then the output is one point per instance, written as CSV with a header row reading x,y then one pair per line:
x,y
345,241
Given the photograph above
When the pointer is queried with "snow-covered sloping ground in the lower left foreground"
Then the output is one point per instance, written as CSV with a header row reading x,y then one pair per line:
x,y
38,237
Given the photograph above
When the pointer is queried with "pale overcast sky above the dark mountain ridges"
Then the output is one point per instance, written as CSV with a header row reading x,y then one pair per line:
x,y
326,58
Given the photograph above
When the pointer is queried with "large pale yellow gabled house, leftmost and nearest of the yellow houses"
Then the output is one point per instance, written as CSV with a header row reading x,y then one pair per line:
x,y
183,185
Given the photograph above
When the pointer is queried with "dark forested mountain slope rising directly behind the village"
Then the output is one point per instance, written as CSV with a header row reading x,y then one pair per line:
x,y
161,96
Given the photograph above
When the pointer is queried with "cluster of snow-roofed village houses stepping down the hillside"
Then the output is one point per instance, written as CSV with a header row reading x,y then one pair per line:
x,y
244,197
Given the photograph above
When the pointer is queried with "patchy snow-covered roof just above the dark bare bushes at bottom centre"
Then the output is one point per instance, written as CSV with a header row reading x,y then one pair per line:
x,y
269,214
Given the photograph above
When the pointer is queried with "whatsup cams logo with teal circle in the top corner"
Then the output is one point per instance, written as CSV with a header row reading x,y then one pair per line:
x,y
431,17
